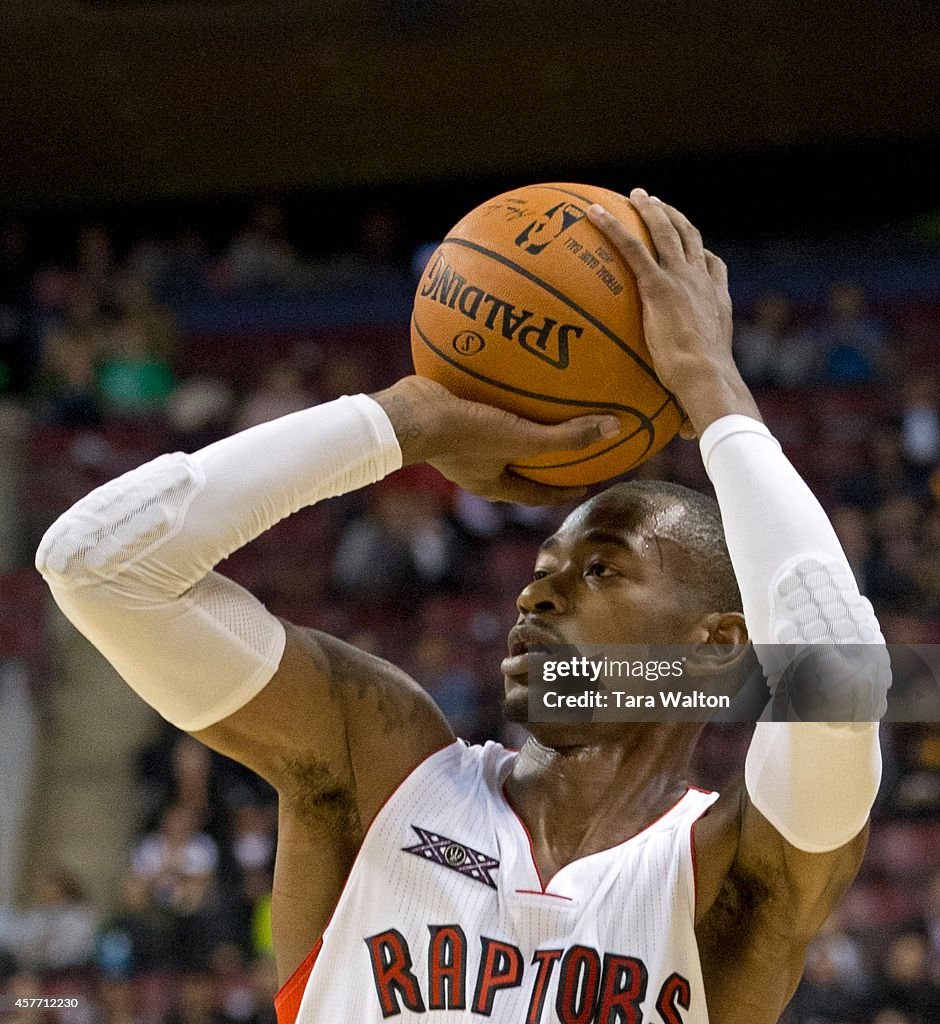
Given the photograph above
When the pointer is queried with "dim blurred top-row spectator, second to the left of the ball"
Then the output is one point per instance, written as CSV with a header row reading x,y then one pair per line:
x,y
262,258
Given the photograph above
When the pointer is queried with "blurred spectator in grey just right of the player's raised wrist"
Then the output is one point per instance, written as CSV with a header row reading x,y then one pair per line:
x,y
770,350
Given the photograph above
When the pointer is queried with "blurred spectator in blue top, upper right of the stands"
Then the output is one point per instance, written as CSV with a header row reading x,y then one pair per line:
x,y
852,346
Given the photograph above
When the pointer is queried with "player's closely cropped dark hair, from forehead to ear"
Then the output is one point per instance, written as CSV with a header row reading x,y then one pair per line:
x,y
698,530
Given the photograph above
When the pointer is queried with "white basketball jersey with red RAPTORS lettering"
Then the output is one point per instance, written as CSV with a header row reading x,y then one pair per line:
x,y
445,918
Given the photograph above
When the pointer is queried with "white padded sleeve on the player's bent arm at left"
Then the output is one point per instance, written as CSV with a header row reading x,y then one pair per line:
x,y
131,564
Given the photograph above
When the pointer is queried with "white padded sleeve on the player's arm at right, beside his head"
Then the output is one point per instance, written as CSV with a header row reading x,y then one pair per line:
x,y
816,783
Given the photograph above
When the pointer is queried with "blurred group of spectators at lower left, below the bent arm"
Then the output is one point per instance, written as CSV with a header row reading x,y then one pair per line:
x,y
188,940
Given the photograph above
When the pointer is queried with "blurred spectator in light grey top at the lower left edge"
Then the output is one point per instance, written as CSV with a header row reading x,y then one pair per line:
x,y
57,932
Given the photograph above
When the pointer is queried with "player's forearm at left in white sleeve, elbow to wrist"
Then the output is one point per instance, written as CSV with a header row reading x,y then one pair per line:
x,y
198,509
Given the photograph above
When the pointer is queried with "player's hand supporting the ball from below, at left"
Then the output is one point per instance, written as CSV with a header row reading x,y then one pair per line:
x,y
476,445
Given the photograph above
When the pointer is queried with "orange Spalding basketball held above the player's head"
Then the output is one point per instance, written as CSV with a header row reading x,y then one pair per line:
x,y
525,306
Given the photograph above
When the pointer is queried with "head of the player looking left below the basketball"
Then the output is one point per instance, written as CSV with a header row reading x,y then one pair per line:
x,y
642,563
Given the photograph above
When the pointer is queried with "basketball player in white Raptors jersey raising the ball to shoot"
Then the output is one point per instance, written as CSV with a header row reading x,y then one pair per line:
x,y
581,880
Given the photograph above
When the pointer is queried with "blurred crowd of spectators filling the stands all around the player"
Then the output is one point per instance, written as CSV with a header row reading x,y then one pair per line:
x,y
94,358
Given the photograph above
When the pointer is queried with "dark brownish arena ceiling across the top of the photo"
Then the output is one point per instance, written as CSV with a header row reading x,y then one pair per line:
x,y
160,99
